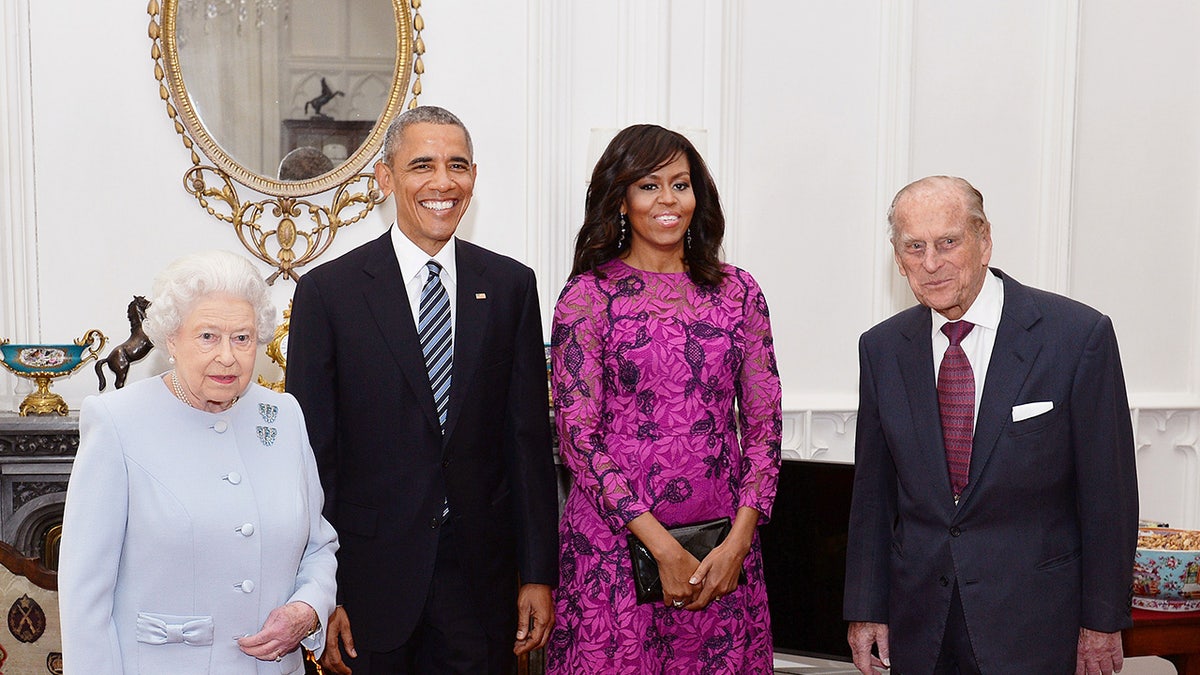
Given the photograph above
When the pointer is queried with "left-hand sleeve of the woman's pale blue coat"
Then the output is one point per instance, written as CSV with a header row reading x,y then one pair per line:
x,y
93,530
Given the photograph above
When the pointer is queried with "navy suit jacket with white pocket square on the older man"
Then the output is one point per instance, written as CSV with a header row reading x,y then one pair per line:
x,y
1043,537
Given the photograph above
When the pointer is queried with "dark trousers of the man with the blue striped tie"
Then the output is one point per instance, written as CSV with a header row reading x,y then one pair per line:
x,y
449,638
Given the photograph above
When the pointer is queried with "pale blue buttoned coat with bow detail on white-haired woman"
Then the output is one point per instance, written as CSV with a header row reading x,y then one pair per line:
x,y
184,530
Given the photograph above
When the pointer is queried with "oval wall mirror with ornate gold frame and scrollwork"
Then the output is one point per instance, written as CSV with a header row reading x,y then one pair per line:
x,y
290,99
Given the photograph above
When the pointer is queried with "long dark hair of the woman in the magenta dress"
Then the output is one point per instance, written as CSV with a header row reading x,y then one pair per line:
x,y
634,153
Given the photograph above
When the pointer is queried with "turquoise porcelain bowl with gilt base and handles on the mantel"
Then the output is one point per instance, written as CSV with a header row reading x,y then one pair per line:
x,y
43,363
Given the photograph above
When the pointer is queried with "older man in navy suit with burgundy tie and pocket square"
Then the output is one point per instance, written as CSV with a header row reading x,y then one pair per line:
x,y
995,505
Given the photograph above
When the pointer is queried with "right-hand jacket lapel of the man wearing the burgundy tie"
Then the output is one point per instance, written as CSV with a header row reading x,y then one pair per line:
x,y
1012,357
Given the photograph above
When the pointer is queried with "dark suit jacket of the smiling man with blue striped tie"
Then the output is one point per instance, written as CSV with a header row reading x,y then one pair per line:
x,y
356,366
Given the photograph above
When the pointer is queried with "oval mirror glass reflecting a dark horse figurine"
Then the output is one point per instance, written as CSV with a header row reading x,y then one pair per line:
x,y
287,97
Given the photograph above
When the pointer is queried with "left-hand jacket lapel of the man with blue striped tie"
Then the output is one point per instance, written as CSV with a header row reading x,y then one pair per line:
x,y
388,302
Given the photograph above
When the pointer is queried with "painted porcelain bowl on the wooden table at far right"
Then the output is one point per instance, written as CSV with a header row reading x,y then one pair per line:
x,y
1167,570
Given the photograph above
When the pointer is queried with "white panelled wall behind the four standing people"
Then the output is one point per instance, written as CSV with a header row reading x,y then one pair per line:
x,y
1078,122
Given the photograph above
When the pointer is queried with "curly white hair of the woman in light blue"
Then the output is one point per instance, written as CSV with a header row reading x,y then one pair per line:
x,y
183,283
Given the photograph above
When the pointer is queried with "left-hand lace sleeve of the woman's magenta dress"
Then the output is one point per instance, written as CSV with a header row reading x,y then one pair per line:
x,y
580,387
